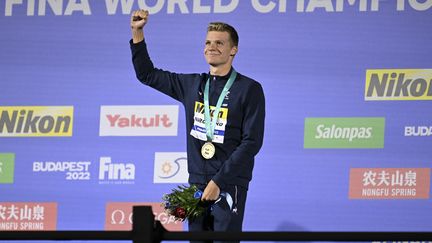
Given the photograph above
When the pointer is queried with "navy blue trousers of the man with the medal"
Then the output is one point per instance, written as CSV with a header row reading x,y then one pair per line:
x,y
220,216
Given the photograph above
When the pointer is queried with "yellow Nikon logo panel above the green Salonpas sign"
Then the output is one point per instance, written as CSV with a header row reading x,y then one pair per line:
x,y
398,84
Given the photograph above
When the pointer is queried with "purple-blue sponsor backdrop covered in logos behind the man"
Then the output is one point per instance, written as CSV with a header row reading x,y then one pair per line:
x,y
348,87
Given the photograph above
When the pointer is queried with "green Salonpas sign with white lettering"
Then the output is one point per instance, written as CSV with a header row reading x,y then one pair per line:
x,y
347,132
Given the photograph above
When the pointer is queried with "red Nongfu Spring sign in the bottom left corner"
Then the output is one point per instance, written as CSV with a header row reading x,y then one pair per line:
x,y
28,216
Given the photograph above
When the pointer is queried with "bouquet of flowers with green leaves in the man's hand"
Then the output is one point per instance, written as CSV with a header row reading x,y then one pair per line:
x,y
184,203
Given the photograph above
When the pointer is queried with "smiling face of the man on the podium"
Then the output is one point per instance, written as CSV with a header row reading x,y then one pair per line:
x,y
219,49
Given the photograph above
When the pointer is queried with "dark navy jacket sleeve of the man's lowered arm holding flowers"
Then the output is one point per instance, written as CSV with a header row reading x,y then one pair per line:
x,y
241,161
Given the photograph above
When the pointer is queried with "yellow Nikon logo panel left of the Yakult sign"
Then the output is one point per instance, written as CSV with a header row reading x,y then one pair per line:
x,y
36,121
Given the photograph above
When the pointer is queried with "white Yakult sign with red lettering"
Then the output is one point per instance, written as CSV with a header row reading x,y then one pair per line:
x,y
138,121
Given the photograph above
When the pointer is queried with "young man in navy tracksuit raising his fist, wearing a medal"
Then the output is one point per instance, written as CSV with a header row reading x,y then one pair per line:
x,y
220,149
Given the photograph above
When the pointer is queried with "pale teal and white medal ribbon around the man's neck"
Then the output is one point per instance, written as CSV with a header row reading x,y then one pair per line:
x,y
209,122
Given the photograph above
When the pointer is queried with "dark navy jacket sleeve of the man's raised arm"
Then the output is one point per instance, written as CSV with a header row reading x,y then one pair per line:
x,y
171,84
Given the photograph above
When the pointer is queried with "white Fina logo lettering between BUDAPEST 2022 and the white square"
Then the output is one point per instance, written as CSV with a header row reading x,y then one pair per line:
x,y
115,173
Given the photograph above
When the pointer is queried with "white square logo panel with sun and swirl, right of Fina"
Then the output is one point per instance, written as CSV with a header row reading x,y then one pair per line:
x,y
170,167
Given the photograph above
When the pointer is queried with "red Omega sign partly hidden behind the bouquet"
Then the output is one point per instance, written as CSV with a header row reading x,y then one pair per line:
x,y
119,216
